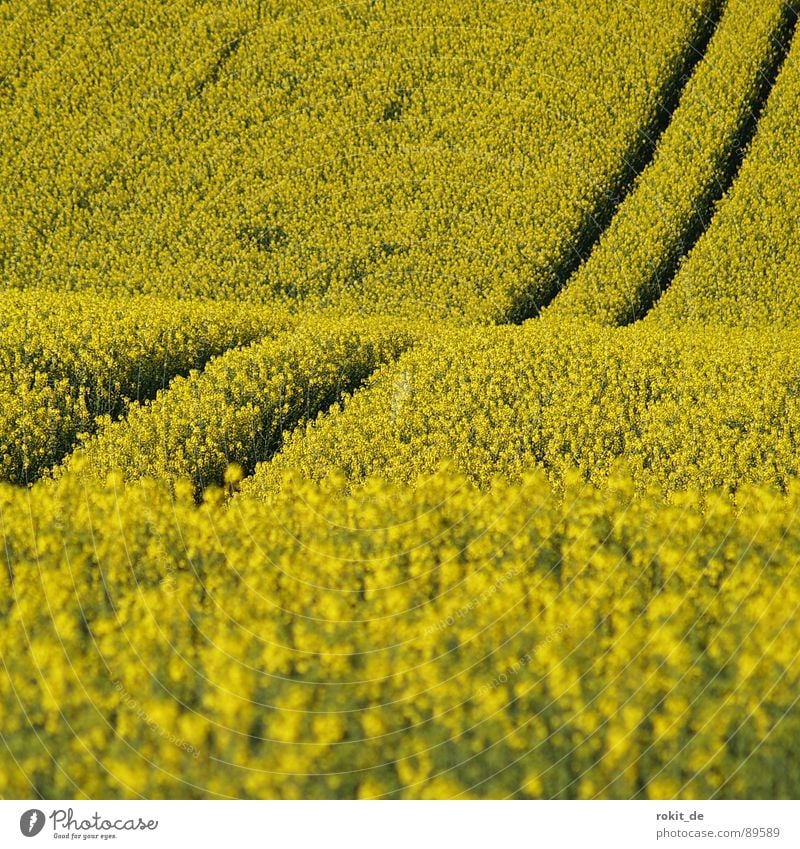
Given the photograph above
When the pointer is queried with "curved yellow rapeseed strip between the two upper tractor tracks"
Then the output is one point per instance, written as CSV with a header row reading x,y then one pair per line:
x,y
696,160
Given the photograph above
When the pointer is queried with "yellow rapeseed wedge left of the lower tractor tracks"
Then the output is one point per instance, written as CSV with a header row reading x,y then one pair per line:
x,y
67,359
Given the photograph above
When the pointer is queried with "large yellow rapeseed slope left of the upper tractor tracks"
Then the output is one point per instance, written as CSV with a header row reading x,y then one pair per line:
x,y
353,153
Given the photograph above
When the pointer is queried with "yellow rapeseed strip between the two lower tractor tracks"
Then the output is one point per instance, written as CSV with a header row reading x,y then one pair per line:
x,y
237,409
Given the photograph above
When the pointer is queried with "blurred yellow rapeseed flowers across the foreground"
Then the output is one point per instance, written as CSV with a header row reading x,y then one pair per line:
x,y
438,641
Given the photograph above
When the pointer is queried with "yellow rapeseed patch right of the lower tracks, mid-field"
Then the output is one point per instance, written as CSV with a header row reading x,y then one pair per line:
x,y
685,406
